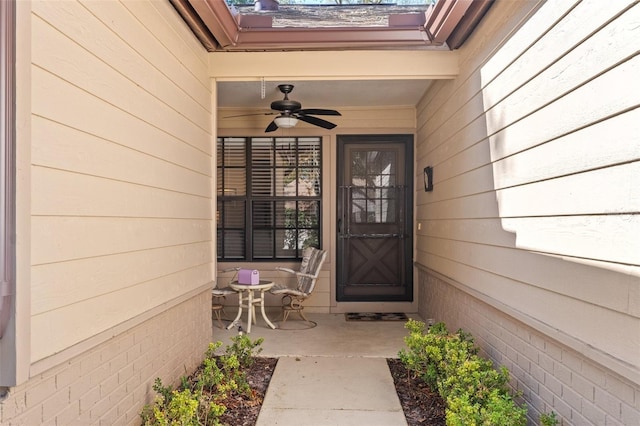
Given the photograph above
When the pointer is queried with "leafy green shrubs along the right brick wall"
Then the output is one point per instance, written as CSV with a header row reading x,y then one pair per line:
x,y
475,392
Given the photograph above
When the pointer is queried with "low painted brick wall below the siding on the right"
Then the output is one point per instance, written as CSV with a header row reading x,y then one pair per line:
x,y
551,376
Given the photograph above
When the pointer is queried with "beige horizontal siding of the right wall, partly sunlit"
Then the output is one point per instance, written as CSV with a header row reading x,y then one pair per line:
x,y
536,156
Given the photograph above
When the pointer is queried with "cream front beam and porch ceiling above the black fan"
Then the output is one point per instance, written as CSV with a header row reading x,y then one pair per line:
x,y
329,79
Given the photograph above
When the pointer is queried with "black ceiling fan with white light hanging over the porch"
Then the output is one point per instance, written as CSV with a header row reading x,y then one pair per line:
x,y
291,111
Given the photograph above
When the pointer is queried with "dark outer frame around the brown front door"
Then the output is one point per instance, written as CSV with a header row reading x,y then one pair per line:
x,y
408,139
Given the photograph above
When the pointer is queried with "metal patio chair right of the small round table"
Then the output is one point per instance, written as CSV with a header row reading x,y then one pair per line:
x,y
306,277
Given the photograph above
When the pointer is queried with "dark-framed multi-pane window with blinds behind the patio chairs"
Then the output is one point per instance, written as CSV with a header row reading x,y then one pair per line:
x,y
269,197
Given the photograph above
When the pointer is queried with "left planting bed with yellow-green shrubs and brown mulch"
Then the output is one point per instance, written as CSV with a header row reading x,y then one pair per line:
x,y
226,389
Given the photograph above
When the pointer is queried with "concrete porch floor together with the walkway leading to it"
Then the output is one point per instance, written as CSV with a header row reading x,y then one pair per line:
x,y
333,374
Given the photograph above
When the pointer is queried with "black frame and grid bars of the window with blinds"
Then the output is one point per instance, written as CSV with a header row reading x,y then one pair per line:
x,y
250,199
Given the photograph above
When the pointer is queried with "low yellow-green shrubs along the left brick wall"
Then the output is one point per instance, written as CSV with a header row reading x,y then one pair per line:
x,y
200,398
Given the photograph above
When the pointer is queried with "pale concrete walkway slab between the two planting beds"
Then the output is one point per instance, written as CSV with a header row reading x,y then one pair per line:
x,y
319,391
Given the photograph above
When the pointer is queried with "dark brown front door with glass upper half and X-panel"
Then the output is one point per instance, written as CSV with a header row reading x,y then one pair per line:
x,y
375,194
